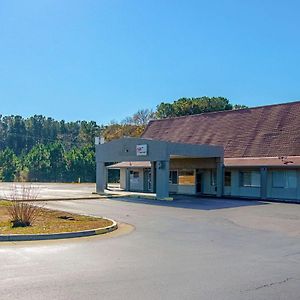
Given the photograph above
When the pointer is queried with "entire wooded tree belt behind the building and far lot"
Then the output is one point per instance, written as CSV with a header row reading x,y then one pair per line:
x,y
43,149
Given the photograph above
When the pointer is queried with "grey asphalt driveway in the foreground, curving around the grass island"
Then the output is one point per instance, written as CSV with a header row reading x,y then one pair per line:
x,y
187,249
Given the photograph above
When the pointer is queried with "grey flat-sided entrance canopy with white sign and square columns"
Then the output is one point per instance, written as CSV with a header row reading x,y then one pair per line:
x,y
159,154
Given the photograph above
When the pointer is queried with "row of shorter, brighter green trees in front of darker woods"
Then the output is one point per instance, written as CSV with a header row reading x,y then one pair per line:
x,y
49,162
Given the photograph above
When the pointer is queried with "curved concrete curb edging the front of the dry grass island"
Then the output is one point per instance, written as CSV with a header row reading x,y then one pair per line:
x,y
61,235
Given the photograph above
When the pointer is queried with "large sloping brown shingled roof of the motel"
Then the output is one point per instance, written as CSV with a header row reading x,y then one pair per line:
x,y
266,131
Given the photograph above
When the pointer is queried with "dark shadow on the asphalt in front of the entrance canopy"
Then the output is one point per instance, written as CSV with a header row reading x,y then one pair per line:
x,y
191,202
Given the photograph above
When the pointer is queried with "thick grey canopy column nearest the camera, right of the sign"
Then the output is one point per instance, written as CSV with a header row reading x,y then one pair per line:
x,y
162,179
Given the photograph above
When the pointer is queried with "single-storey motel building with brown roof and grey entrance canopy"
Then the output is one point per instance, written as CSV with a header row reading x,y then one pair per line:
x,y
250,153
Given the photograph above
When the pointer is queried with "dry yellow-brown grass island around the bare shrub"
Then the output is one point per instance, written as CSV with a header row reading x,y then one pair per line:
x,y
50,221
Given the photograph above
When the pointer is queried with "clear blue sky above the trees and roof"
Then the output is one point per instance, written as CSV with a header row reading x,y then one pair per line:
x,y
104,59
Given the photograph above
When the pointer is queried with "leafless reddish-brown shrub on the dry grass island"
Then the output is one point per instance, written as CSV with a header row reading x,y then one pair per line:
x,y
22,212
